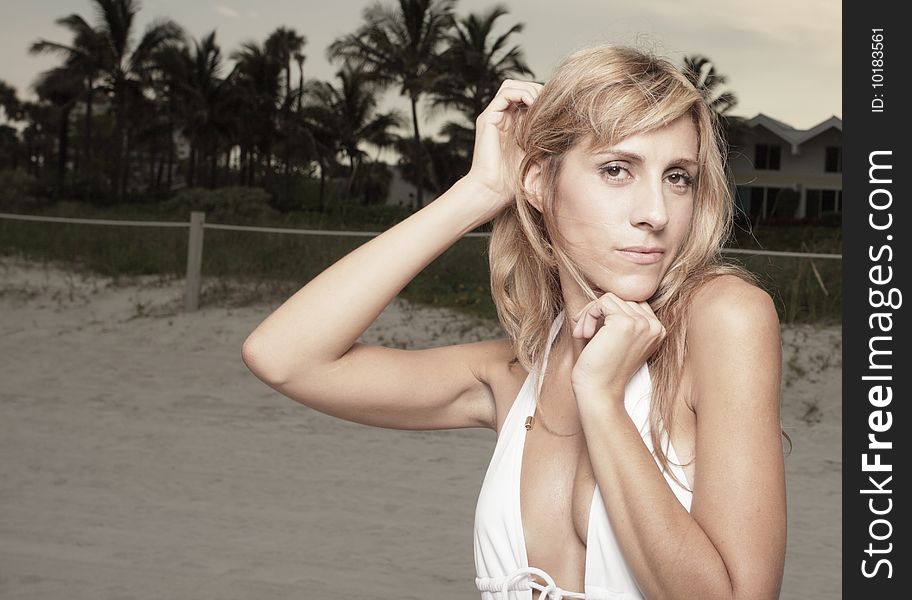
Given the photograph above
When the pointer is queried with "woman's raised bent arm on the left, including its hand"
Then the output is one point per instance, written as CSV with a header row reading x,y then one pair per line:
x,y
307,348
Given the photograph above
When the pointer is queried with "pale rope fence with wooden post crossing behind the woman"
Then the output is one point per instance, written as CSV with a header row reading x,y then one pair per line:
x,y
197,224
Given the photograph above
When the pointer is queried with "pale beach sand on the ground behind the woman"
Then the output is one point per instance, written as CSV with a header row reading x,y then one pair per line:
x,y
140,459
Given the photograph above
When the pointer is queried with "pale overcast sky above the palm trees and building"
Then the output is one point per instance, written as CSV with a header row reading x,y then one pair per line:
x,y
781,57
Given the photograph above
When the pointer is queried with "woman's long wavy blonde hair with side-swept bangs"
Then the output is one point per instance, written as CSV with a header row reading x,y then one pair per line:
x,y
604,94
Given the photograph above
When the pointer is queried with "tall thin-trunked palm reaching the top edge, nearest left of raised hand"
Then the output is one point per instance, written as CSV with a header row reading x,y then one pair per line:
x,y
400,45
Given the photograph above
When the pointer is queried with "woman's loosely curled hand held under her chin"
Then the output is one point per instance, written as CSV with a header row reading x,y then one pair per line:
x,y
612,338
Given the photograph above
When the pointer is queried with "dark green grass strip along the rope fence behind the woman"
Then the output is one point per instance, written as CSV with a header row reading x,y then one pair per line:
x,y
252,267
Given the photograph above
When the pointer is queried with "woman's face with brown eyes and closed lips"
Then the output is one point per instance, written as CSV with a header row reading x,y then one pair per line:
x,y
625,210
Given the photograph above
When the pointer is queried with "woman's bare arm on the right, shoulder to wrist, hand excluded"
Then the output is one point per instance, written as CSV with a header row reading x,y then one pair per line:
x,y
731,545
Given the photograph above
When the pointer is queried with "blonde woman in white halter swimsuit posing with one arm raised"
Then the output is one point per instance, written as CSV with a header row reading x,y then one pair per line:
x,y
636,395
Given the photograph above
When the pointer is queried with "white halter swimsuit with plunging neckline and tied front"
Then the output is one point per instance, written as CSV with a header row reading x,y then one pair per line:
x,y
501,564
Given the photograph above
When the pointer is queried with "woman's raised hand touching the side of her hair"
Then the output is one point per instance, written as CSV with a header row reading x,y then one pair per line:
x,y
492,137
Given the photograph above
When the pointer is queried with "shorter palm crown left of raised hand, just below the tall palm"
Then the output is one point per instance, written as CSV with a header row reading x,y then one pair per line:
x,y
349,111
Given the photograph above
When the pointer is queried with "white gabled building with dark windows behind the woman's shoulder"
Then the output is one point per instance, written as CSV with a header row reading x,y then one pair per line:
x,y
783,173
